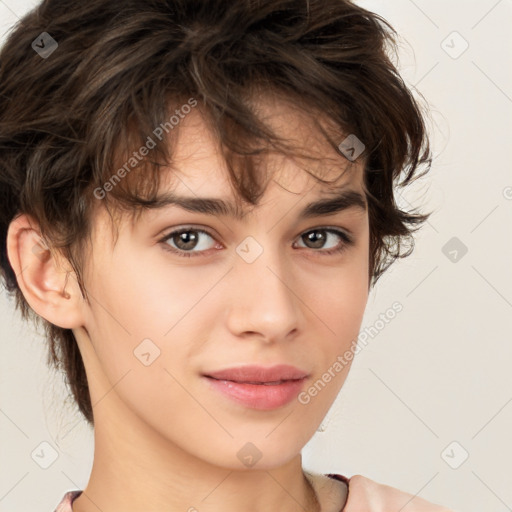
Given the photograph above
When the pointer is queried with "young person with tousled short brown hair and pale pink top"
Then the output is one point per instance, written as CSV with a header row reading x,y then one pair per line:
x,y
197,197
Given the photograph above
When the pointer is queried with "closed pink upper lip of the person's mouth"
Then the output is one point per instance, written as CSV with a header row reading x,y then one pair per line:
x,y
254,373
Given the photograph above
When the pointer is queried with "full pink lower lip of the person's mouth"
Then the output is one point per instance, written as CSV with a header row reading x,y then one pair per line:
x,y
259,396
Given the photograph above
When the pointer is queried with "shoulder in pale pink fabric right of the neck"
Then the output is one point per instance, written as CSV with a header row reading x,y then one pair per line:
x,y
369,495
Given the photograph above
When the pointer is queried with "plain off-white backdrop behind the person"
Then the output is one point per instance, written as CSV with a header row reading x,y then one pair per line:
x,y
427,407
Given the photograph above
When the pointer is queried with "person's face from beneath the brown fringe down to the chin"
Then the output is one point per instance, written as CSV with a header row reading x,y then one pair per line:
x,y
274,287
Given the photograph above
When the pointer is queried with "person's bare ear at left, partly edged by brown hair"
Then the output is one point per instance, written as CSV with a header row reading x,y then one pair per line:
x,y
51,290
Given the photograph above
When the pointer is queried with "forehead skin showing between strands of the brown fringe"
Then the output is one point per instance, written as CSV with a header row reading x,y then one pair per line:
x,y
198,166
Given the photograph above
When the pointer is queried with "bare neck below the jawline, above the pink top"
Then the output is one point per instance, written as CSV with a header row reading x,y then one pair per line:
x,y
135,469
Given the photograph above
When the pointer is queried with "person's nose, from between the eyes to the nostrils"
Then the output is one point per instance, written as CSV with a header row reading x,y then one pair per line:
x,y
263,300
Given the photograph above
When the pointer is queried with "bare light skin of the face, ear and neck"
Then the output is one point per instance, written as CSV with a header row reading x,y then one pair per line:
x,y
163,439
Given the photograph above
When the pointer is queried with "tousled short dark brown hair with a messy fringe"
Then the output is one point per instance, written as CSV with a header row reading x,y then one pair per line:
x,y
69,119
